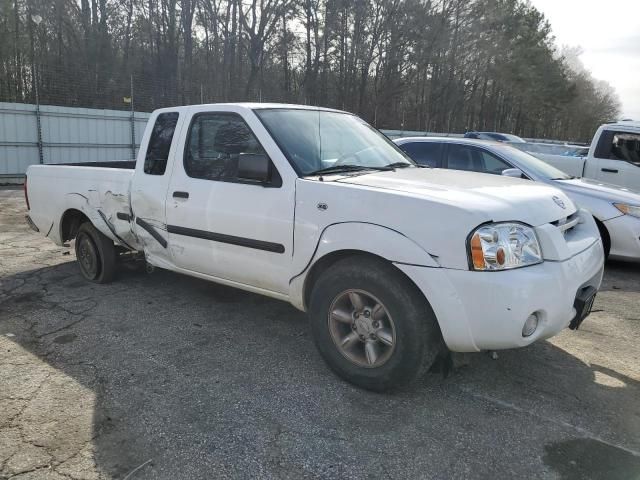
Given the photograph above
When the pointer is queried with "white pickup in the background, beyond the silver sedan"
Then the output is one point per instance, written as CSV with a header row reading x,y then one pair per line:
x,y
613,158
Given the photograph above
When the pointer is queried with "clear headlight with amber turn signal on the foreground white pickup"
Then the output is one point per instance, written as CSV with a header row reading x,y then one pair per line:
x,y
501,246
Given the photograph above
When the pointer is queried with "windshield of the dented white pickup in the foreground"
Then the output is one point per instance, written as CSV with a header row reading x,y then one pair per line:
x,y
314,140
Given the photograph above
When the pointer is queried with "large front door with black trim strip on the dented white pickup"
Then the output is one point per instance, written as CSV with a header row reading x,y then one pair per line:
x,y
220,225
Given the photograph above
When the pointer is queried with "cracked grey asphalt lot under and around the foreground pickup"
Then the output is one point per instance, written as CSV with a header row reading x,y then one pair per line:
x,y
164,376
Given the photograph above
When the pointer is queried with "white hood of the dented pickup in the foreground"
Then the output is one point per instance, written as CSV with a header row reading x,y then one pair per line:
x,y
489,197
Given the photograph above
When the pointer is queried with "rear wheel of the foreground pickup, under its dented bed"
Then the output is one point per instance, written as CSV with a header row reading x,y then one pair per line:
x,y
96,254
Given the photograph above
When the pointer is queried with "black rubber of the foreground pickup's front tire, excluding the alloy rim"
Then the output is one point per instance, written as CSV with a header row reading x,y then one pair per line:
x,y
417,339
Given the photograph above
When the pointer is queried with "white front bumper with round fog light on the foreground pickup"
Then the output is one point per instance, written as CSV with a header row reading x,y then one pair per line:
x,y
487,310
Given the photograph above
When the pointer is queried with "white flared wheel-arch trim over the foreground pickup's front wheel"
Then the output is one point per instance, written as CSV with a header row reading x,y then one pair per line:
x,y
365,237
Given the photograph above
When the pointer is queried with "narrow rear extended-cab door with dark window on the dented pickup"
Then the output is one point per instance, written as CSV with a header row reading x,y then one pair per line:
x,y
150,184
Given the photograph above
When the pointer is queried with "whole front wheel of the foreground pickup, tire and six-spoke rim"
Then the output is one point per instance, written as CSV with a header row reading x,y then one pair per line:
x,y
371,324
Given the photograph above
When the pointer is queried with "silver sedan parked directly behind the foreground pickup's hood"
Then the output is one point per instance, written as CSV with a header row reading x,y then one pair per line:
x,y
616,209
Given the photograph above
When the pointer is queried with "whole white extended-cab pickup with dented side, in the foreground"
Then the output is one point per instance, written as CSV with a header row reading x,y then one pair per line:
x,y
392,261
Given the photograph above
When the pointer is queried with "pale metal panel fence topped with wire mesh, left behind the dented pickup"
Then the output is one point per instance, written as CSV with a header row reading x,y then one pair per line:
x,y
69,113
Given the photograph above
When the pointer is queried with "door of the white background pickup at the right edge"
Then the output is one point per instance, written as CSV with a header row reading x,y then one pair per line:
x,y
617,158
